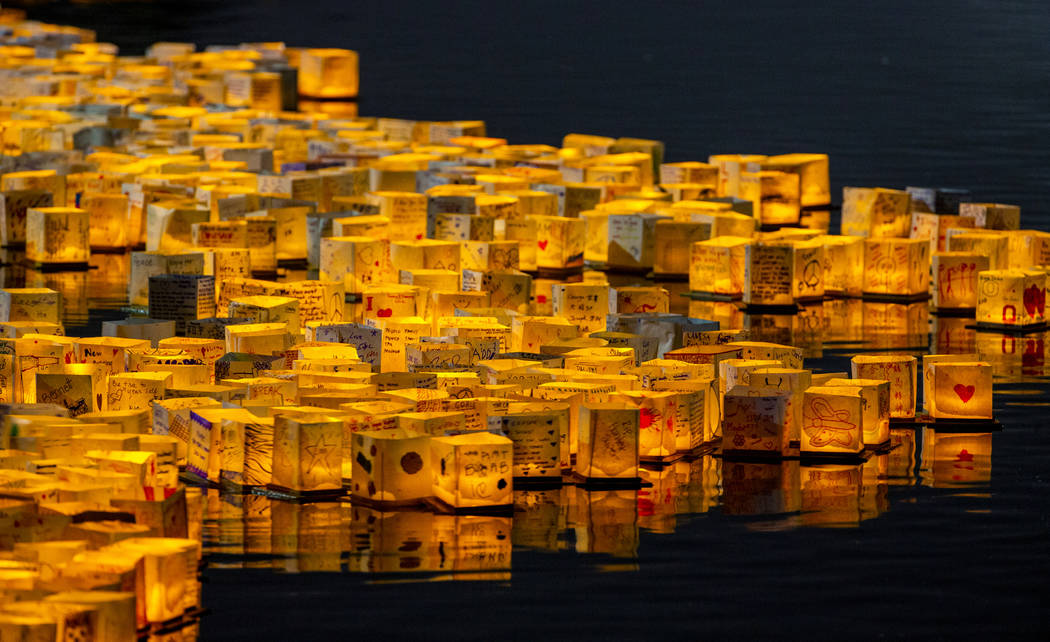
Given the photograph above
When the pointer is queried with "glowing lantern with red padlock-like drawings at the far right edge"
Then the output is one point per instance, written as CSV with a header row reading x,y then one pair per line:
x,y
1012,299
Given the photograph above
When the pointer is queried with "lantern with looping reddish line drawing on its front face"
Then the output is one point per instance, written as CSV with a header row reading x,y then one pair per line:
x,y
832,422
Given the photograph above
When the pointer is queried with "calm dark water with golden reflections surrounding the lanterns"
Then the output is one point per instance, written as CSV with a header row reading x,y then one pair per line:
x,y
928,543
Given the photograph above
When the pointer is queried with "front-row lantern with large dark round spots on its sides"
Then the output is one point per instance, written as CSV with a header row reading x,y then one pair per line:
x,y
392,468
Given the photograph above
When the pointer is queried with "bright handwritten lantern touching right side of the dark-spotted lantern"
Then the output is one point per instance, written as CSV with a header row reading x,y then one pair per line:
x,y
473,470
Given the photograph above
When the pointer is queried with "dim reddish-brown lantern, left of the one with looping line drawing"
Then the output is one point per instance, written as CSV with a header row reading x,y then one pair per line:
x,y
758,421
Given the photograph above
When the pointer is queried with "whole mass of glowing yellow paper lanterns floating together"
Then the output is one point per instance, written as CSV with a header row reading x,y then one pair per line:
x,y
451,351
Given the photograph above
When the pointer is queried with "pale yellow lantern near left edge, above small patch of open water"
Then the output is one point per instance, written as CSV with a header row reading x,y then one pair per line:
x,y
57,236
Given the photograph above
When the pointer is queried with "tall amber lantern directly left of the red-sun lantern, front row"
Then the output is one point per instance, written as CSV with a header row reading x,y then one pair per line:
x,y
608,447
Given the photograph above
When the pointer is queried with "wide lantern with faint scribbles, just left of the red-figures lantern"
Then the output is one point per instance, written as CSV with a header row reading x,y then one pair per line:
x,y
898,267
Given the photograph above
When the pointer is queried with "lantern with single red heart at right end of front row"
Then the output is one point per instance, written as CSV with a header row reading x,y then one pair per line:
x,y
961,390
